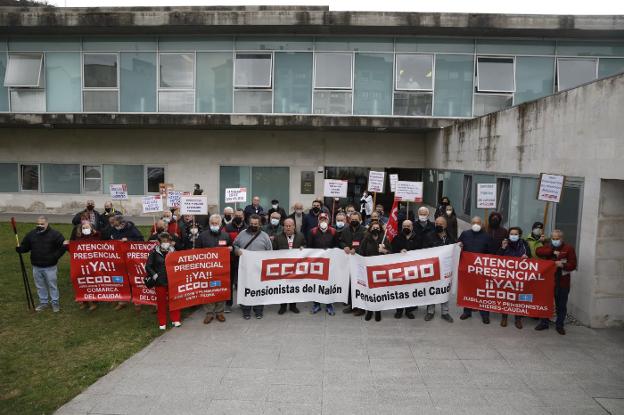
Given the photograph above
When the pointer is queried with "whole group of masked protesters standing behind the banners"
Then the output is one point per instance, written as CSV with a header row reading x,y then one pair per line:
x,y
360,230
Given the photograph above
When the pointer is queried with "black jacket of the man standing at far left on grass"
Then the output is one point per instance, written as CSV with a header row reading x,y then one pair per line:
x,y
45,248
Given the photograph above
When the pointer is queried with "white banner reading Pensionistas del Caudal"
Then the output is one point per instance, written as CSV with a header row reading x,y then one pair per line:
x,y
413,278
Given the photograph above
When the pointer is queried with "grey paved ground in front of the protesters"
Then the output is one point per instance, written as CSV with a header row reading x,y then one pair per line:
x,y
303,364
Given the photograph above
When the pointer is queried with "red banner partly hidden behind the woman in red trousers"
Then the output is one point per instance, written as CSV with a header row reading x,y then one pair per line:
x,y
136,257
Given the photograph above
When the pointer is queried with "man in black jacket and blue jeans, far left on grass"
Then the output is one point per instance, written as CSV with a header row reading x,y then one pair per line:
x,y
46,247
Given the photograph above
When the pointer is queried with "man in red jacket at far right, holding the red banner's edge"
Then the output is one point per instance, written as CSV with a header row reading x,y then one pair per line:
x,y
565,258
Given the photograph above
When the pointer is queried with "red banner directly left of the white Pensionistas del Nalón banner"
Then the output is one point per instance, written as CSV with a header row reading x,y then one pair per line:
x,y
198,276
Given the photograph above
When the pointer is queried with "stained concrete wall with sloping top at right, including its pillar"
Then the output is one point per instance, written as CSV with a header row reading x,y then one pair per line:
x,y
579,132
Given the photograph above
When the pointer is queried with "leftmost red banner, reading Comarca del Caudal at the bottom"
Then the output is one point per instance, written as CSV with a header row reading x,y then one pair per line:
x,y
98,270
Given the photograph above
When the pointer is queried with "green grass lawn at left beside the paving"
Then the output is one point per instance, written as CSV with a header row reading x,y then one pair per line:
x,y
46,359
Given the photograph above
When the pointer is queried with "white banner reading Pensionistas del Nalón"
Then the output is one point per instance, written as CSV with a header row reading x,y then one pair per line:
x,y
292,276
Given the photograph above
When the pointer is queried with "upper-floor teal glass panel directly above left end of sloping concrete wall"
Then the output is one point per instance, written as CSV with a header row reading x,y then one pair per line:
x,y
454,76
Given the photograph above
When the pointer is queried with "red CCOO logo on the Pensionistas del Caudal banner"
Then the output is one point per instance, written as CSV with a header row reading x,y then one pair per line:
x,y
410,272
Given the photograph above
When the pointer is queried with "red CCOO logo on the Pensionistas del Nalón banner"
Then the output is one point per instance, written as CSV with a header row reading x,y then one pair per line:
x,y
295,269
